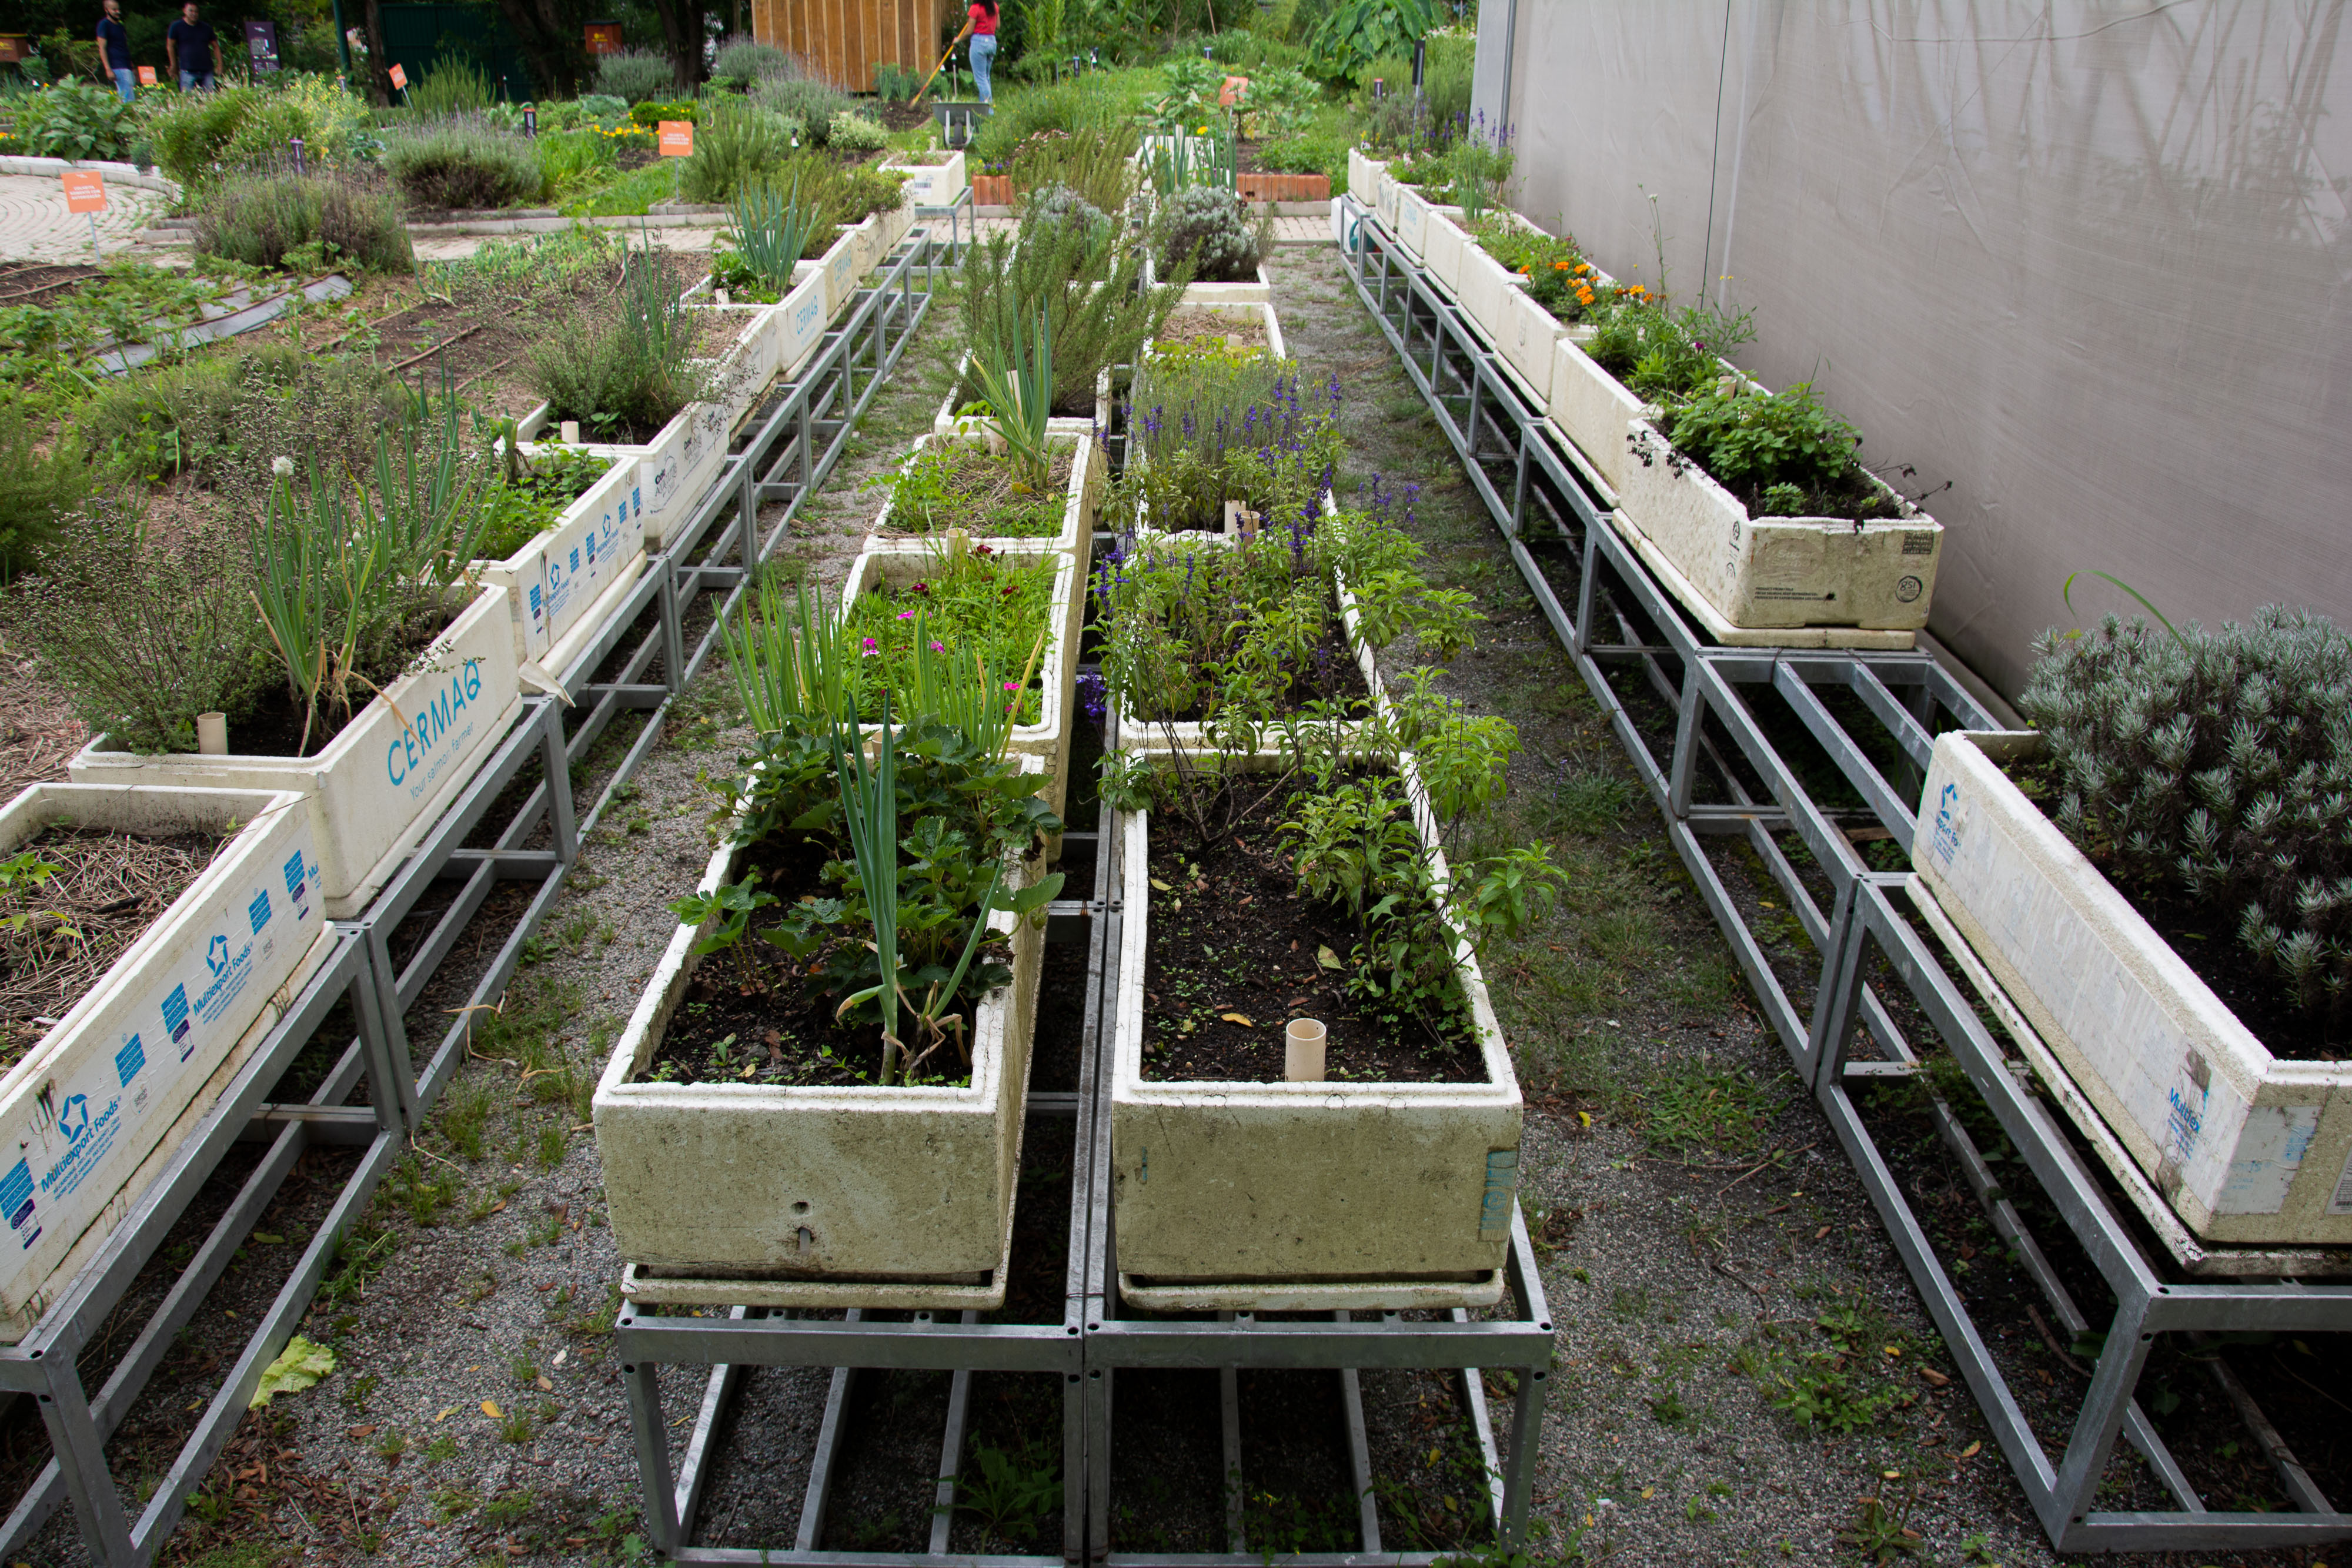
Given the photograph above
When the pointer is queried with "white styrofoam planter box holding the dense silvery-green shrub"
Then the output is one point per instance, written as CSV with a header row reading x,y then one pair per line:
x,y
2247,1148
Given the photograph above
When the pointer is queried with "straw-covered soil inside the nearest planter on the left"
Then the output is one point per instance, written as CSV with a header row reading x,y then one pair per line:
x,y
109,887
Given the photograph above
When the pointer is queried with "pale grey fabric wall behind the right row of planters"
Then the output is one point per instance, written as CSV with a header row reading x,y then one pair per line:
x,y
2083,262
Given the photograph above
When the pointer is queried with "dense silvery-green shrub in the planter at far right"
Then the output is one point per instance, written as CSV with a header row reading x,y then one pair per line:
x,y
2214,768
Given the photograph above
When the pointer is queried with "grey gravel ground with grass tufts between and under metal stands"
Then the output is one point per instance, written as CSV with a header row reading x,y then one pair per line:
x,y
1711,1257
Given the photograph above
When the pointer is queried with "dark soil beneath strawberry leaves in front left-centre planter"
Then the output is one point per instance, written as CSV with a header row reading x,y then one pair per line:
x,y
747,1007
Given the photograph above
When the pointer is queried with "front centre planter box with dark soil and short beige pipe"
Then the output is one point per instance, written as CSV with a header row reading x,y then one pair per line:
x,y
1236,1193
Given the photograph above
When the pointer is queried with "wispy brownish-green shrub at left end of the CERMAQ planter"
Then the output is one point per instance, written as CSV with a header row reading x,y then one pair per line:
x,y
147,629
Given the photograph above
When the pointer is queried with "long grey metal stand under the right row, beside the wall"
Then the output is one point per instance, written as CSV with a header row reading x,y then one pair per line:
x,y
1869,723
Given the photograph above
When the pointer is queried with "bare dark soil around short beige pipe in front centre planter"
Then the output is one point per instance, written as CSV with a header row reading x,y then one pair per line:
x,y
1234,942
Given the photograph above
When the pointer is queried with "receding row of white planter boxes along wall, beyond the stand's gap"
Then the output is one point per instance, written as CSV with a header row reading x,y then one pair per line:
x,y
1739,572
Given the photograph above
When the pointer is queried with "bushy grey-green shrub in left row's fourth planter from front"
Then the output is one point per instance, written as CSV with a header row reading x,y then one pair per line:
x,y
624,375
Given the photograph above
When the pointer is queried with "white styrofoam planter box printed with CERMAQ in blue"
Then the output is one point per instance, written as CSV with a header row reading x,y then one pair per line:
x,y
389,775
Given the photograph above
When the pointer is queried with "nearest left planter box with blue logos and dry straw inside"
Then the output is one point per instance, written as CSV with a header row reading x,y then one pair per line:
x,y
196,911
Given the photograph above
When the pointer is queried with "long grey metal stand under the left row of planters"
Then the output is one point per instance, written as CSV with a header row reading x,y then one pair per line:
x,y
537,843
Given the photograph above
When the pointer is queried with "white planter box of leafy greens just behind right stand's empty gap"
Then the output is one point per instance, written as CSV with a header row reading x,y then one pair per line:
x,y
1768,572
